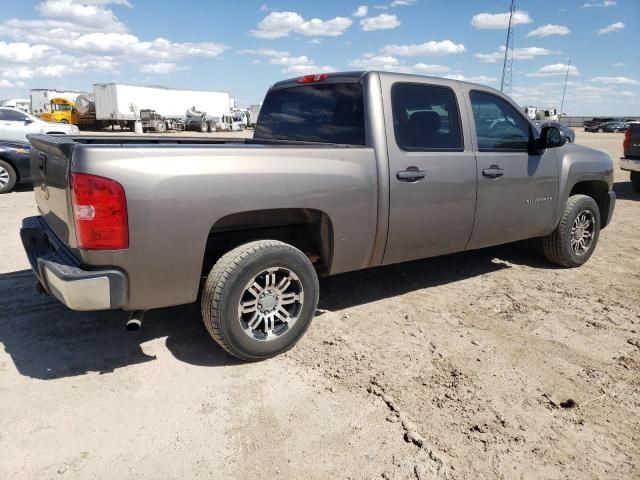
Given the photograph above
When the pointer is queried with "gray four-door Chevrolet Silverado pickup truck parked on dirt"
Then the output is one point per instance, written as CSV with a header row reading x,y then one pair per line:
x,y
346,171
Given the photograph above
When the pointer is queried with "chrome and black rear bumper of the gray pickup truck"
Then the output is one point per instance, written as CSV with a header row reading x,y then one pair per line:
x,y
60,273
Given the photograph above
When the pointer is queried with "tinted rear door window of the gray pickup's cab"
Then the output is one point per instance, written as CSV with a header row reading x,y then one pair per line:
x,y
425,118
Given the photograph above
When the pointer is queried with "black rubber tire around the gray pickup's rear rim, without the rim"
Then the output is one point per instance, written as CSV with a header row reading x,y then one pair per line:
x,y
225,289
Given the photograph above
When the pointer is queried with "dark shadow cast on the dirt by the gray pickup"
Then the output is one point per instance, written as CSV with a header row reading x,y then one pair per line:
x,y
47,341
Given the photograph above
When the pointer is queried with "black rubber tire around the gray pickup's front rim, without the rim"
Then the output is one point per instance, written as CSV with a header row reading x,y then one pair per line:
x,y
557,246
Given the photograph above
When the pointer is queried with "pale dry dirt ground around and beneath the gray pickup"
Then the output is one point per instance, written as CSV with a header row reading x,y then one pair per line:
x,y
487,364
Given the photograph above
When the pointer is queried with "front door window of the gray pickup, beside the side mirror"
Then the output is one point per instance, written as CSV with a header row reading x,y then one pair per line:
x,y
499,127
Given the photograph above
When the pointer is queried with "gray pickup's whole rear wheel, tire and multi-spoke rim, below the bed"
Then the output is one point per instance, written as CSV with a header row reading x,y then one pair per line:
x,y
259,299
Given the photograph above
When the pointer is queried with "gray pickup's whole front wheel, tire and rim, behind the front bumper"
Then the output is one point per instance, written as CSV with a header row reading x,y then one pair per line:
x,y
573,241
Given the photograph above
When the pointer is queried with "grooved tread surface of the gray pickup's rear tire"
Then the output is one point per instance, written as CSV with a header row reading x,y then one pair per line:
x,y
218,280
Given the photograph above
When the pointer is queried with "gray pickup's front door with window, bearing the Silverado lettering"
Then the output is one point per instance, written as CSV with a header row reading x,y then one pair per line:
x,y
517,190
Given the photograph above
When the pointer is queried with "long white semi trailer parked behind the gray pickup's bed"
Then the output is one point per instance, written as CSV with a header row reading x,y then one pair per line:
x,y
120,104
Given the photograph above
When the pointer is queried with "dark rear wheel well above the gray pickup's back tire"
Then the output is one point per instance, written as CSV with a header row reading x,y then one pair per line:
x,y
308,230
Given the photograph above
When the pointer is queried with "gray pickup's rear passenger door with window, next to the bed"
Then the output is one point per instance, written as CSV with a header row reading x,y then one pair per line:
x,y
432,169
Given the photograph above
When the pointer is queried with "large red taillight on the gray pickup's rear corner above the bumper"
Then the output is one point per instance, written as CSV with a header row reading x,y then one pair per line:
x,y
99,212
